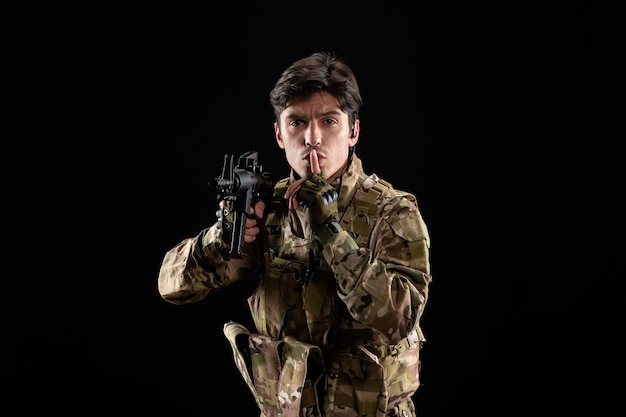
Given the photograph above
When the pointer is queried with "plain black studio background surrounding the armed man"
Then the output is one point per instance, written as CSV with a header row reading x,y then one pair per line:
x,y
496,117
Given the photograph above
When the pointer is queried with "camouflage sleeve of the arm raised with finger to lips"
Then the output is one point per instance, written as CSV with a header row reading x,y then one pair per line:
x,y
385,285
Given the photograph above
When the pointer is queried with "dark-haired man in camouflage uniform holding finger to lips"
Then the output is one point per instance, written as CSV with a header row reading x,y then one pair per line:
x,y
341,259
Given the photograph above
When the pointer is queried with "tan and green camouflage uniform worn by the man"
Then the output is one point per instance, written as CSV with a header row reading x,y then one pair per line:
x,y
337,328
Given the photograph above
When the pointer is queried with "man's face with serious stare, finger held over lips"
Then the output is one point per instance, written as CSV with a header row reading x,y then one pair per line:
x,y
316,123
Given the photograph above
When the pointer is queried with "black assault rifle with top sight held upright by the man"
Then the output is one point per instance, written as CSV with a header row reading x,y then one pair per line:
x,y
239,186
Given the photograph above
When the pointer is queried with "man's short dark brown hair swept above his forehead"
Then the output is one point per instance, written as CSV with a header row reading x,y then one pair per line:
x,y
321,71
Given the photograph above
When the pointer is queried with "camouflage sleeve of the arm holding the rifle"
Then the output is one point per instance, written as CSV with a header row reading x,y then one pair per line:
x,y
194,268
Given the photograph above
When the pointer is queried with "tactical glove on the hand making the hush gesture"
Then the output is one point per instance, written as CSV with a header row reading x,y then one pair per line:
x,y
321,199
